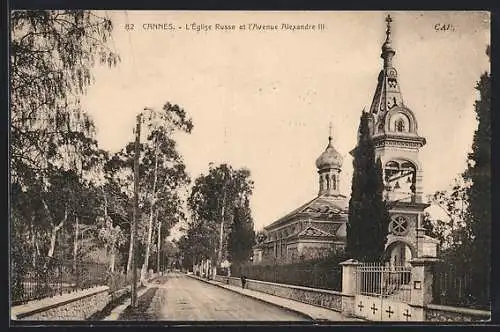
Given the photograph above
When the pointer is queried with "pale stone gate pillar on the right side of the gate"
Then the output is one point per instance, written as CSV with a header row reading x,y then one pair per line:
x,y
421,285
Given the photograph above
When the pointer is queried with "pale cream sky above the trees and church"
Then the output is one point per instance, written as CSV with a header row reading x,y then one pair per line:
x,y
264,99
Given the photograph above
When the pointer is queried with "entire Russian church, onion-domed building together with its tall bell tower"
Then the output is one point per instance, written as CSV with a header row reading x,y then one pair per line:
x,y
321,223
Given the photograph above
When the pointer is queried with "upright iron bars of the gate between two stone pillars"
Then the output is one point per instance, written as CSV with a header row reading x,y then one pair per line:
x,y
392,282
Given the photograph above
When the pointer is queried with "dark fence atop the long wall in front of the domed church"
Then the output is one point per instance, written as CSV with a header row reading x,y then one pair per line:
x,y
323,277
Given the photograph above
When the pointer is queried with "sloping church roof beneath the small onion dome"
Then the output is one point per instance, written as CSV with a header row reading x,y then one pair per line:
x,y
323,206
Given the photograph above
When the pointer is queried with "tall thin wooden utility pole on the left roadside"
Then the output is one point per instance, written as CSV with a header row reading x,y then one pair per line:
x,y
136,210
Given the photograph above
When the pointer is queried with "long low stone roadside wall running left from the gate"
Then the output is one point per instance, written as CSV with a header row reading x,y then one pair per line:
x,y
319,297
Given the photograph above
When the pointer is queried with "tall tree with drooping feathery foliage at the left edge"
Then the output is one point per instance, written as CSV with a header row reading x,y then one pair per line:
x,y
52,138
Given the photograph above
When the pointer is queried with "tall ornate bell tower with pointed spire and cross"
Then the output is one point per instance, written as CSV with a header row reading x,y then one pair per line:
x,y
394,131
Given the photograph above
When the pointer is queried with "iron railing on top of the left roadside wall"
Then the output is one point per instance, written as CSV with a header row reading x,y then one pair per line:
x,y
49,277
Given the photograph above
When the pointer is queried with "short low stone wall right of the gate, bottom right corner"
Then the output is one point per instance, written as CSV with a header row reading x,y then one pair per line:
x,y
441,313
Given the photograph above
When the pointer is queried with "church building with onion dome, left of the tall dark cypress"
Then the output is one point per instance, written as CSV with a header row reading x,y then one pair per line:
x,y
314,228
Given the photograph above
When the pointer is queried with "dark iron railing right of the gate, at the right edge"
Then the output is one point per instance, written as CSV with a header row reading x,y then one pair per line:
x,y
455,286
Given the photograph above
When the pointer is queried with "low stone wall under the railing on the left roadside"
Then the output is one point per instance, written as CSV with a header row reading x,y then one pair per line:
x,y
72,306
